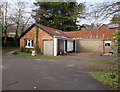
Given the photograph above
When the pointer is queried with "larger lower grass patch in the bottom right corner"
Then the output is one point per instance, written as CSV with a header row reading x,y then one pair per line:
x,y
105,78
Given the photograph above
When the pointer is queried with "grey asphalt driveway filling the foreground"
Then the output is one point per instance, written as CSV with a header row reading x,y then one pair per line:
x,y
56,73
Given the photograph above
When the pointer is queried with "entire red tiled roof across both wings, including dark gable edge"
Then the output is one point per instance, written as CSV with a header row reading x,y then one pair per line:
x,y
102,32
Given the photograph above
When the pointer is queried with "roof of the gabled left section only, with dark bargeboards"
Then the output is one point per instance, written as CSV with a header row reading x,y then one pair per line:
x,y
49,30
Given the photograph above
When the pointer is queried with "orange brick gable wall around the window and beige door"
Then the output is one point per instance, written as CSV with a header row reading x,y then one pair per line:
x,y
32,35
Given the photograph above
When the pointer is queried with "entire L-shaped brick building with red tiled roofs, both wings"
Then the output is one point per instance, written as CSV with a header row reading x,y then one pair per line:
x,y
53,41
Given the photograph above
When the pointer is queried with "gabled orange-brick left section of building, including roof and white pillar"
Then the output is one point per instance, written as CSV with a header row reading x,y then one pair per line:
x,y
50,41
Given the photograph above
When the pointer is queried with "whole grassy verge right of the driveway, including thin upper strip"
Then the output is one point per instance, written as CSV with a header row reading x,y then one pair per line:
x,y
107,77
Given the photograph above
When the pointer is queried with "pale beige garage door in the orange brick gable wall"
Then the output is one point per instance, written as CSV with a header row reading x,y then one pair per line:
x,y
48,47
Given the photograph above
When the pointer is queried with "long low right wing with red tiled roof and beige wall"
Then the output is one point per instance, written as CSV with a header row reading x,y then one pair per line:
x,y
94,41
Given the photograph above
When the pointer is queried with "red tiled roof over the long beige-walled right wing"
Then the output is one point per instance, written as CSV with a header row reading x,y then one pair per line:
x,y
107,33
